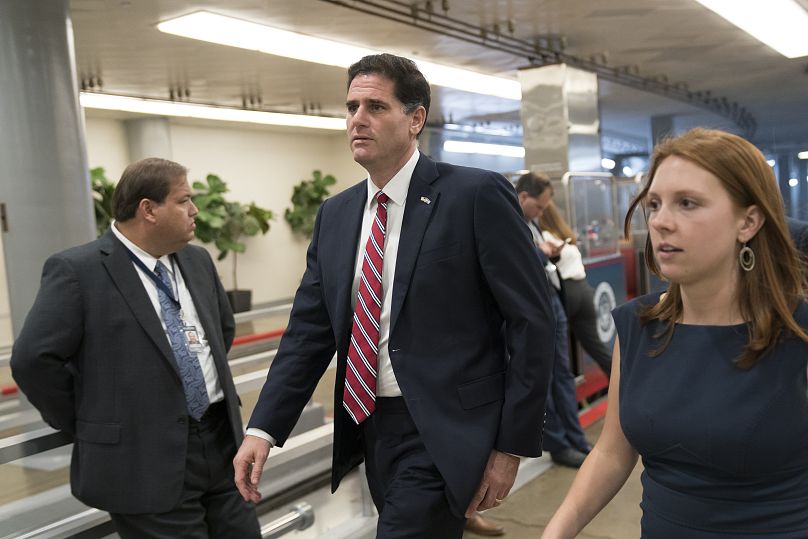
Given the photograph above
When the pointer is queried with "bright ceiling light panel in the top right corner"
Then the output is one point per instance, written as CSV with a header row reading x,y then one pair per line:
x,y
780,24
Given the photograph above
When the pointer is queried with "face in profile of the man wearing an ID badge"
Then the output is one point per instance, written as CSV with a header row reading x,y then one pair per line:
x,y
174,217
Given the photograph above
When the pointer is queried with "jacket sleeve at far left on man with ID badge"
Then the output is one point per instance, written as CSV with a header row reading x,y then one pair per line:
x,y
42,353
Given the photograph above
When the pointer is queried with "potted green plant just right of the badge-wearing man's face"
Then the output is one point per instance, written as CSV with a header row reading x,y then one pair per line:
x,y
224,223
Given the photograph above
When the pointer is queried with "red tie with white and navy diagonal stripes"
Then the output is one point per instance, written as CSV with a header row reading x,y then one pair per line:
x,y
359,396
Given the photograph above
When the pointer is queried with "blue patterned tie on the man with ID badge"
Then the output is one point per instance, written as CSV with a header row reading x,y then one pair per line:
x,y
193,381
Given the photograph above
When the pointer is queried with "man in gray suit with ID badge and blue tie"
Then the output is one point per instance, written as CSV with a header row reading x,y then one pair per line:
x,y
104,355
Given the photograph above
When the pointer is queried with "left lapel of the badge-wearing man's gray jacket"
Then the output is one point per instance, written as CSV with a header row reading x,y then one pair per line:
x,y
126,279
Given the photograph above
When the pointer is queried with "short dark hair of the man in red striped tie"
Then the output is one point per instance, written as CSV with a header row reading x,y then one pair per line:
x,y
409,84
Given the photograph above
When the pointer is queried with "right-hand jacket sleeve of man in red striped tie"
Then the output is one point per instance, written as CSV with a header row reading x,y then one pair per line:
x,y
514,274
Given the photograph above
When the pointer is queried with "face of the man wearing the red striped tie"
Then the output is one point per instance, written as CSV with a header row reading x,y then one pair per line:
x,y
382,136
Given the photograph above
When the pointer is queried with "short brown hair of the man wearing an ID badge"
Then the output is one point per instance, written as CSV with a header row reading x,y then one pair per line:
x,y
150,178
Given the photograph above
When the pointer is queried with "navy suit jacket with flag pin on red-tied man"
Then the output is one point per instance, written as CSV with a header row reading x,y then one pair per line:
x,y
471,330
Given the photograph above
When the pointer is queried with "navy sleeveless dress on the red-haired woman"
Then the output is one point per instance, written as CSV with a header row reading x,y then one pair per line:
x,y
725,450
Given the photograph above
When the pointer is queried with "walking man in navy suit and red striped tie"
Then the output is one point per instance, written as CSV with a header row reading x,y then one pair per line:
x,y
457,338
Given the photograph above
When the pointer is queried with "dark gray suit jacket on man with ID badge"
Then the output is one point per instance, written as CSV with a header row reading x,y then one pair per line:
x,y
93,358
